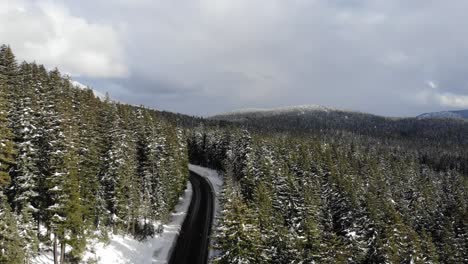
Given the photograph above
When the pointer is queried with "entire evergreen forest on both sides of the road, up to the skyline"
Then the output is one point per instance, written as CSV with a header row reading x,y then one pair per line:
x,y
320,187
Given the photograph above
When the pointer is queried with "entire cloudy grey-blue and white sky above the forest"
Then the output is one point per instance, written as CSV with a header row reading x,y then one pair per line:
x,y
388,57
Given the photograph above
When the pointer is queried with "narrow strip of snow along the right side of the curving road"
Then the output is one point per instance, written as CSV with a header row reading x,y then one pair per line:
x,y
217,183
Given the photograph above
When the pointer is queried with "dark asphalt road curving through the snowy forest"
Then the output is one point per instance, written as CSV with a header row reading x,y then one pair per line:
x,y
193,241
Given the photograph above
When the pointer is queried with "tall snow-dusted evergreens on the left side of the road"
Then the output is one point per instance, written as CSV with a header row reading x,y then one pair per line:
x,y
75,167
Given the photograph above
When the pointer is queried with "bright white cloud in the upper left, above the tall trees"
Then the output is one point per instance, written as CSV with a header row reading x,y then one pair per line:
x,y
47,32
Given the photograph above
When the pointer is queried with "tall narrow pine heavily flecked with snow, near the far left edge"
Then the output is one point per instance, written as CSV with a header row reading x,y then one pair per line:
x,y
24,189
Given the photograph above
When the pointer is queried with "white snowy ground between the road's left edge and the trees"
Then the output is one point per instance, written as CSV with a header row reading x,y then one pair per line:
x,y
126,250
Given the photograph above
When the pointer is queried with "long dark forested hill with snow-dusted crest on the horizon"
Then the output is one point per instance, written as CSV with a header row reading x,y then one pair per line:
x,y
320,120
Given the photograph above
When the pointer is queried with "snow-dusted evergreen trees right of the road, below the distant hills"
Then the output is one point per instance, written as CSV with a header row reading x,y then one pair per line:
x,y
337,197
